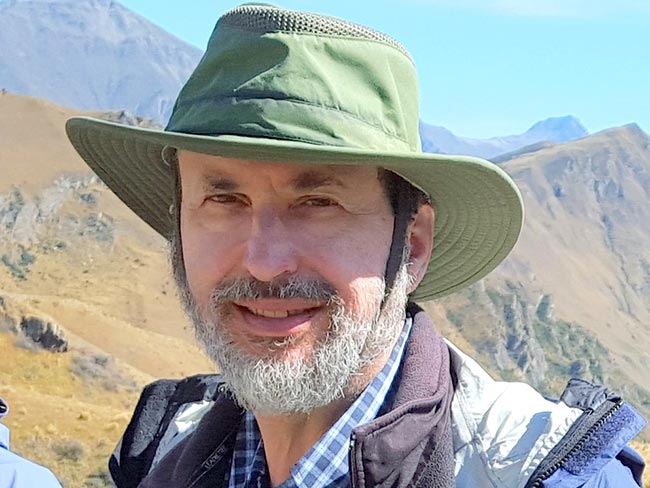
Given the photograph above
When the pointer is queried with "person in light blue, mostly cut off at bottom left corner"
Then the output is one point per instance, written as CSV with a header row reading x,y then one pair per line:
x,y
17,472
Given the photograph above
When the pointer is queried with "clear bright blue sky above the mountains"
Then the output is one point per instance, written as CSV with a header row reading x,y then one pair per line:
x,y
490,67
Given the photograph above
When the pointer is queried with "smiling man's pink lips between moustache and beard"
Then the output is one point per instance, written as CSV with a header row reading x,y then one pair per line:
x,y
300,319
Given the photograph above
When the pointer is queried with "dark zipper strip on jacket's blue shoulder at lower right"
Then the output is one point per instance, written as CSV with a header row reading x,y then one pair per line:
x,y
581,431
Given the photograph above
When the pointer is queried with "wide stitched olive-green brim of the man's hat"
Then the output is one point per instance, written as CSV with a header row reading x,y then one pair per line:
x,y
479,211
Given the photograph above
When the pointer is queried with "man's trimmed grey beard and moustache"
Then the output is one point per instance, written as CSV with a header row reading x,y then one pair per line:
x,y
274,385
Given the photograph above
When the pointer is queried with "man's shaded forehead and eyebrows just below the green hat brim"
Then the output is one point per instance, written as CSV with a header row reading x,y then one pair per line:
x,y
196,168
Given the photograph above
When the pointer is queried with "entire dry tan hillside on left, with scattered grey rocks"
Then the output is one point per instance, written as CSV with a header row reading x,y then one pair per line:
x,y
72,255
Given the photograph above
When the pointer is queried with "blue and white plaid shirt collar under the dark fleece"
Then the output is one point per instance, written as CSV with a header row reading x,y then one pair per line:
x,y
326,463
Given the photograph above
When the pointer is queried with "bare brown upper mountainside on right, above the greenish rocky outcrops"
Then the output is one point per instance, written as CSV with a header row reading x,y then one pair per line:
x,y
586,236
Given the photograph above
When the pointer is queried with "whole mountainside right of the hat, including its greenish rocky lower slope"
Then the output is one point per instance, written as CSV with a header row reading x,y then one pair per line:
x,y
573,298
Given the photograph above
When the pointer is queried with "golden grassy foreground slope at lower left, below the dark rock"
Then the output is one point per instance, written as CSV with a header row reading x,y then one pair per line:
x,y
59,419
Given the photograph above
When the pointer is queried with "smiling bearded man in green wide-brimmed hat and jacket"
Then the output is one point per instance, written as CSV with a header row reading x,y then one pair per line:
x,y
300,209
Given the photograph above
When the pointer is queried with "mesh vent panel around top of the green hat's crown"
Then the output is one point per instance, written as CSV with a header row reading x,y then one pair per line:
x,y
266,18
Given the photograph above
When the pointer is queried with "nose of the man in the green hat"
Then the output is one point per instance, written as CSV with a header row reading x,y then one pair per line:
x,y
269,251
